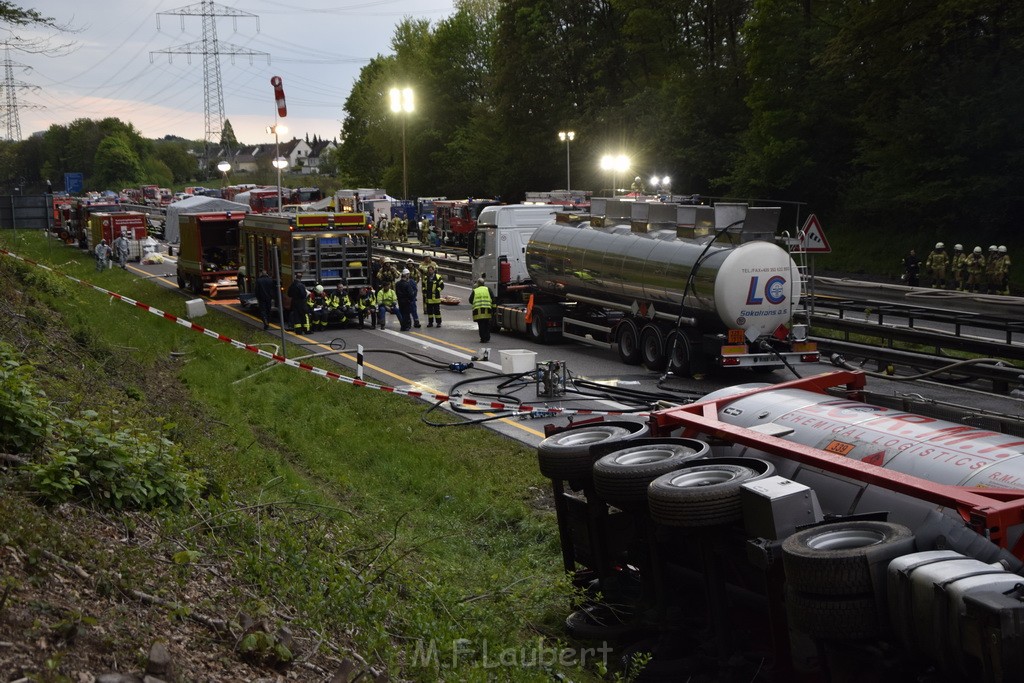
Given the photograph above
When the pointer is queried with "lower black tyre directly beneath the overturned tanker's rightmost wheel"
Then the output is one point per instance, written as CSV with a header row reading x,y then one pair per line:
x,y
835,618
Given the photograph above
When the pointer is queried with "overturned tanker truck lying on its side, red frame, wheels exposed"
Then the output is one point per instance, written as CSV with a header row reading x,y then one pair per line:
x,y
797,532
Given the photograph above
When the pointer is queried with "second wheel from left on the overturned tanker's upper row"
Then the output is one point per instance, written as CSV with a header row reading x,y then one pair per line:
x,y
622,478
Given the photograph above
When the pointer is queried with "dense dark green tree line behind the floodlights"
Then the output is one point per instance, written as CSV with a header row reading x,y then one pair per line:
x,y
900,117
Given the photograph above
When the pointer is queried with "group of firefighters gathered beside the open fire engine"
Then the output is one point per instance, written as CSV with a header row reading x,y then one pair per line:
x,y
392,291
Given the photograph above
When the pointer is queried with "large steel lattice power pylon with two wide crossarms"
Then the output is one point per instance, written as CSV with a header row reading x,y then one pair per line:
x,y
211,50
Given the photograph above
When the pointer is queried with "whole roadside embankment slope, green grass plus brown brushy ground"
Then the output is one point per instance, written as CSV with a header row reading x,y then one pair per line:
x,y
330,509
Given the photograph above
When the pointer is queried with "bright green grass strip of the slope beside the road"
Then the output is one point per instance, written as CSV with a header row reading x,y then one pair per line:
x,y
339,501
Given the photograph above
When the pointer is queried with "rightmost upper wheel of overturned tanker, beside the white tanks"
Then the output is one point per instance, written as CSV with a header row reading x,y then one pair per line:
x,y
846,559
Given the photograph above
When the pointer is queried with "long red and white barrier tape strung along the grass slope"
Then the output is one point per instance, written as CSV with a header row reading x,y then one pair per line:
x,y
441,398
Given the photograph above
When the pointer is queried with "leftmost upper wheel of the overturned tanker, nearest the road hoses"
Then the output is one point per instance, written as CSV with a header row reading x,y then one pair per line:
x,y
566,456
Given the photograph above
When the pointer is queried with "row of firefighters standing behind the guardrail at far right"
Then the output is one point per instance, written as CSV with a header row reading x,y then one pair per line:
x,y
965,272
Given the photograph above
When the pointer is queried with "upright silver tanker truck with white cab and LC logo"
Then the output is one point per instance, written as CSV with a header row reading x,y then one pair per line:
x,y
687,287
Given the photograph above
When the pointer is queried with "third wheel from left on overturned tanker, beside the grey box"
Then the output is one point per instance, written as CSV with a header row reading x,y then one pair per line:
x,y
703,493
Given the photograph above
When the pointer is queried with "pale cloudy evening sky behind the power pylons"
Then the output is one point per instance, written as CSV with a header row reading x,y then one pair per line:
x,y
117,63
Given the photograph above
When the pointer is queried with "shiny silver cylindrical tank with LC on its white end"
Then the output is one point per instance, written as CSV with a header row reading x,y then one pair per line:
x,y
754,286
